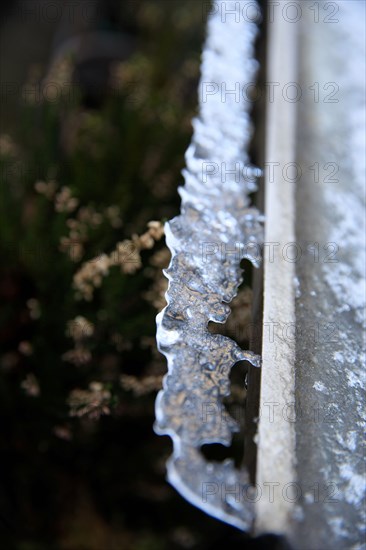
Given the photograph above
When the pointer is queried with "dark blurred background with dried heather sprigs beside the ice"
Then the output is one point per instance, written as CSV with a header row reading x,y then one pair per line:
x,y
97,99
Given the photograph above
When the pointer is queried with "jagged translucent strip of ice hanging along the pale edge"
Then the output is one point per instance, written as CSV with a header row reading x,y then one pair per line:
x,y
215,231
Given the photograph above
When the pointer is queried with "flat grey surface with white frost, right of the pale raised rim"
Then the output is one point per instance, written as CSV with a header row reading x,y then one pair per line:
x,y
331,366
